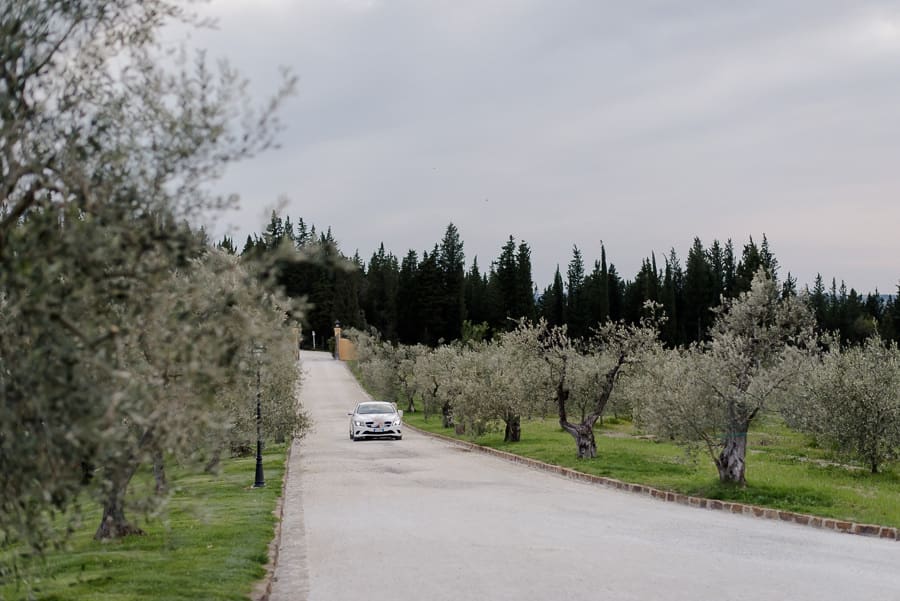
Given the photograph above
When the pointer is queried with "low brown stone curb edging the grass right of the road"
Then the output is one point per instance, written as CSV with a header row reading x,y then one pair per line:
x,y
801,519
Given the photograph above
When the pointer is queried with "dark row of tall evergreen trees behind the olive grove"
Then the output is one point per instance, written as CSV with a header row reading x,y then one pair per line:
x,y
433,297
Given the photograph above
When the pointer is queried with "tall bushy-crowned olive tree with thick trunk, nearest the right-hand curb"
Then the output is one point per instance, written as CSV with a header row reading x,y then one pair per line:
x,y
711,392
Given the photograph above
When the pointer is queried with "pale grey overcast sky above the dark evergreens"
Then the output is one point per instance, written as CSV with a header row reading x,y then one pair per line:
x,y
638,124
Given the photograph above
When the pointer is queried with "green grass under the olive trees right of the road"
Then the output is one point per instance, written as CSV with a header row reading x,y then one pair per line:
x,y
784,469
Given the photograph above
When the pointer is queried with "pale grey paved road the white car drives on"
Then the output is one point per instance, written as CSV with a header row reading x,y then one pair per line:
x,y
423,520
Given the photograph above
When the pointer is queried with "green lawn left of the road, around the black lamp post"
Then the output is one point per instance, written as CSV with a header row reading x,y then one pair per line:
x,y
211,542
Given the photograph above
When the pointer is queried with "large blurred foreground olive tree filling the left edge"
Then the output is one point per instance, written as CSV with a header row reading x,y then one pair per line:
x,y
104,154
